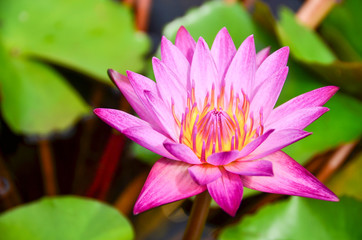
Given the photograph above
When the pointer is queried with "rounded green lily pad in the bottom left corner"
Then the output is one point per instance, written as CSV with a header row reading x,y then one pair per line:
x,y
65,218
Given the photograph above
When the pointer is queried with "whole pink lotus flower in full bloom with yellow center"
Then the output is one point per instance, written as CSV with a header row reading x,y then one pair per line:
x,y
210,115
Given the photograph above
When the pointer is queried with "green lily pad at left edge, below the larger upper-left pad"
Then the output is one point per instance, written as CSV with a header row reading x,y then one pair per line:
x,y
35,98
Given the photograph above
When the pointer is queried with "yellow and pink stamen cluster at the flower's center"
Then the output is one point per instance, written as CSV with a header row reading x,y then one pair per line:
x,y
222,124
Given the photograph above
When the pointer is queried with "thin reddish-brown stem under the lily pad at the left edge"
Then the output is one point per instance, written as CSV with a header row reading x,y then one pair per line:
x,y
48,170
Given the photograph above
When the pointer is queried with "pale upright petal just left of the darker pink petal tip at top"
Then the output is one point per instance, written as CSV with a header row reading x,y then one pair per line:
x,y
175,60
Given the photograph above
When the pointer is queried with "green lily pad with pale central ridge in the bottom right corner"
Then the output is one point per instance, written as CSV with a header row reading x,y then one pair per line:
x,y
300,219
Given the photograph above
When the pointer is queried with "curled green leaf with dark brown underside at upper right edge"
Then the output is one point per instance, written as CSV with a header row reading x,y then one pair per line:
x,y
308,48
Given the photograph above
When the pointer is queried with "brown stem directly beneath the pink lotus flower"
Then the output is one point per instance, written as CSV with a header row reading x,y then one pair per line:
x,y
198,216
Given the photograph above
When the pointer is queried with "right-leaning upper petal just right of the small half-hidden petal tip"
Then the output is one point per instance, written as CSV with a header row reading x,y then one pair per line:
x,y
273,63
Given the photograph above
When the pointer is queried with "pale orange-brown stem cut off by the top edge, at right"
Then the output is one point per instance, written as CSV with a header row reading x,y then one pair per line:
x,y
312,12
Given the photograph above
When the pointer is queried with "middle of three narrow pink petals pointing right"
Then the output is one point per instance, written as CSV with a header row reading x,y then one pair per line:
x,y
299,119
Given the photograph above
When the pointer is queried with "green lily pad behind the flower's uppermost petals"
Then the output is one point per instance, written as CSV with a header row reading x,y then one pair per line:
x,y
207,20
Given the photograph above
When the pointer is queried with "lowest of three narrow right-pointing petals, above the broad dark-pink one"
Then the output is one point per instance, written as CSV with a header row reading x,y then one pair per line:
x,y
276,141
